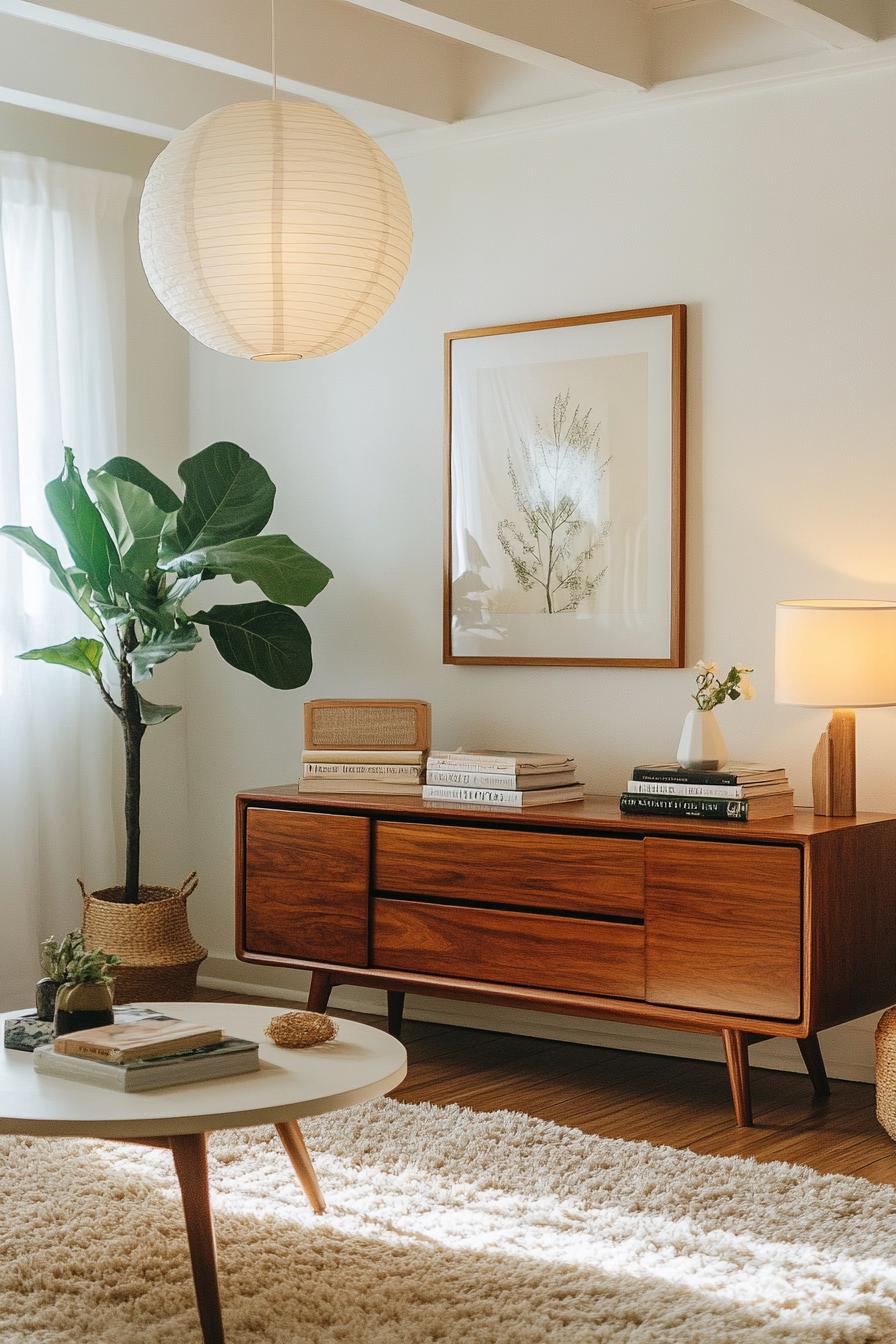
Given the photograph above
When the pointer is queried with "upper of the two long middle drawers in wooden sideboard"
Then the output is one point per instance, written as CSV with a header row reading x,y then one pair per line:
x,y
590,874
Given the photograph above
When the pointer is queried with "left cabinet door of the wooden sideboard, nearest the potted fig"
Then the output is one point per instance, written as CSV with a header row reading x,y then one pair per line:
x,y
307,885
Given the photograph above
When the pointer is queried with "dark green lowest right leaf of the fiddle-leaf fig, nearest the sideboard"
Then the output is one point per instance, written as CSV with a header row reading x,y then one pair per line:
x,y
264,639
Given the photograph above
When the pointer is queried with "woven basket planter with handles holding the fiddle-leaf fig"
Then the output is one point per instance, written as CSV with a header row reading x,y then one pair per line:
x,y
159,955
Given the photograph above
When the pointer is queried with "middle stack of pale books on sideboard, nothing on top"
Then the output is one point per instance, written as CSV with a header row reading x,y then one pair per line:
x,y
502,779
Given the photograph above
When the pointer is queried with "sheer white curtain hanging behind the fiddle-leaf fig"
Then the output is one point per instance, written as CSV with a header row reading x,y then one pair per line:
x,y
62,351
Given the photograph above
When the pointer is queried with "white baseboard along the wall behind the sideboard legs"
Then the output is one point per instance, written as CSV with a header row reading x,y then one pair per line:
x,y
850,1052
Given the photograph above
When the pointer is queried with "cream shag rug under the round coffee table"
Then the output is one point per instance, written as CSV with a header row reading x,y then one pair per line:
x,y
449,1226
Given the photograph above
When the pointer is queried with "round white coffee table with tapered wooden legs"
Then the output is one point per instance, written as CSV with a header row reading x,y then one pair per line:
x,y
359,1065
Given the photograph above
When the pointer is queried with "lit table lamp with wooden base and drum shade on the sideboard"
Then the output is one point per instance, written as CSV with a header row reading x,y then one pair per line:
x,y
839,654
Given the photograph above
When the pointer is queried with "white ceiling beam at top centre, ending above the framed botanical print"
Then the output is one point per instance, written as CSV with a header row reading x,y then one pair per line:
x,y
605,42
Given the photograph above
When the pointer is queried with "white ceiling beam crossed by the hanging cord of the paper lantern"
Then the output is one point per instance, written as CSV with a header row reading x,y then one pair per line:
x,y
323,49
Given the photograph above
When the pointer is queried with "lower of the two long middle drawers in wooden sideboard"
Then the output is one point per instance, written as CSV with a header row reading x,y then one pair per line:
x,y
511,947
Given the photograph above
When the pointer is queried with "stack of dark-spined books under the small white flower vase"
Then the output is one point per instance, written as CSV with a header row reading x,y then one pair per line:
x,y
741,792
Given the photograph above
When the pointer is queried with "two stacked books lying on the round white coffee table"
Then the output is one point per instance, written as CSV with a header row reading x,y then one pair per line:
x,y
155,1053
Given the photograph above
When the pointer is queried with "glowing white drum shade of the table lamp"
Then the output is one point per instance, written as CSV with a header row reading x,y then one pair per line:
x,y
836,653
